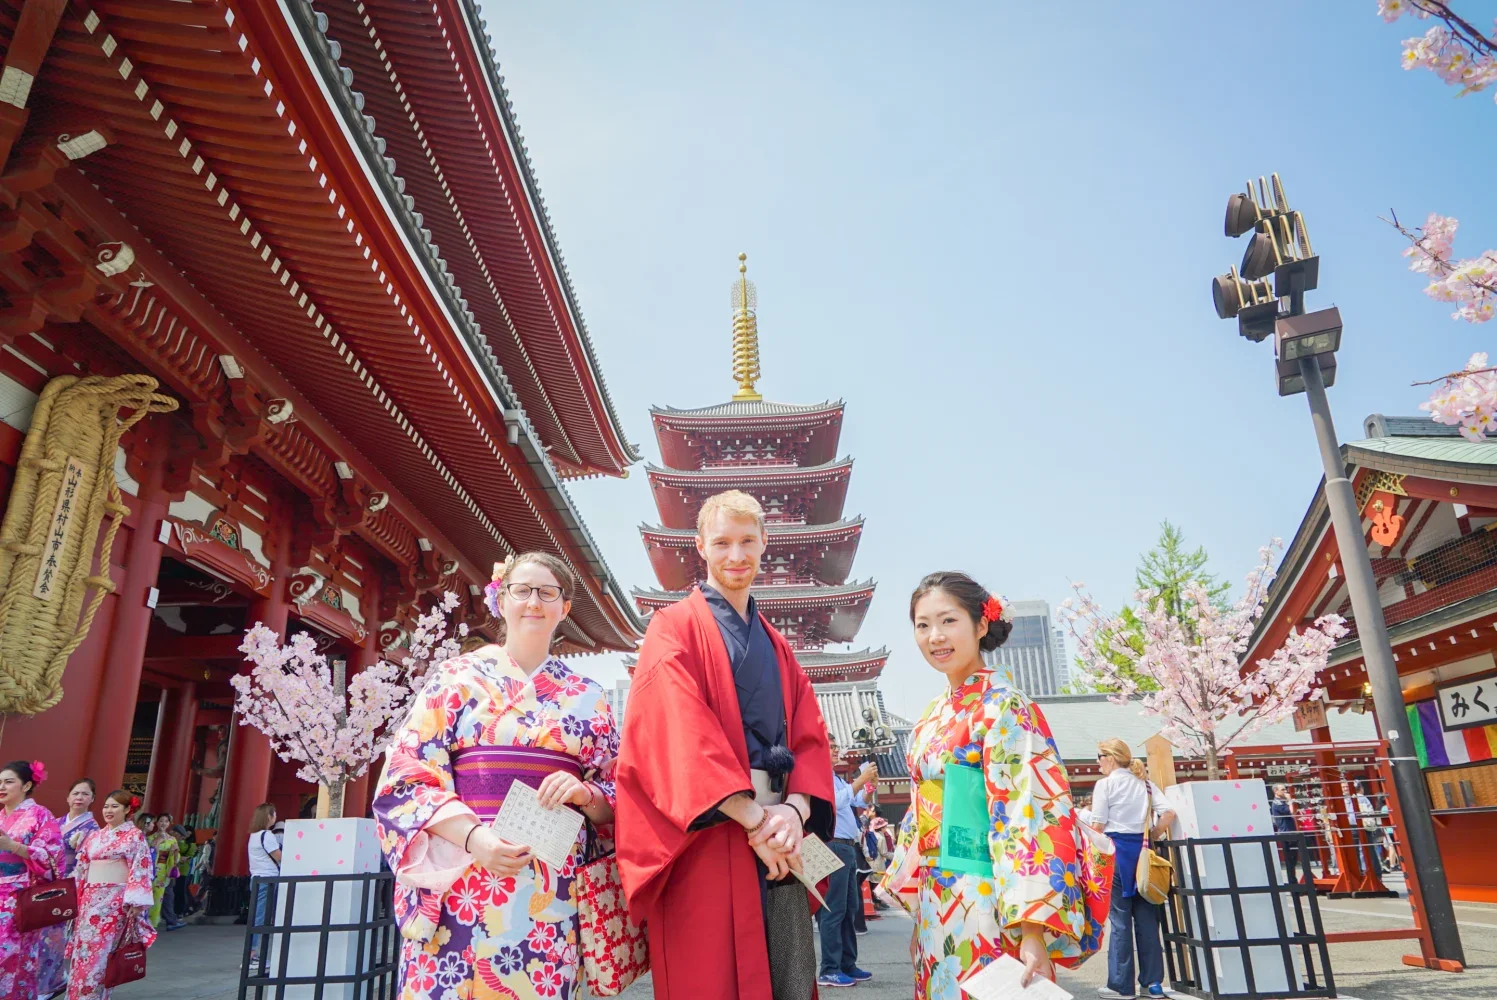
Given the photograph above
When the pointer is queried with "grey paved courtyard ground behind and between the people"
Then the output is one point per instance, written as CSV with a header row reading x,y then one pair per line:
x,y
201,963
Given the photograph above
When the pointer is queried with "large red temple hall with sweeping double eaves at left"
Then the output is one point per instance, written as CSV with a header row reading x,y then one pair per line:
x,y
317,228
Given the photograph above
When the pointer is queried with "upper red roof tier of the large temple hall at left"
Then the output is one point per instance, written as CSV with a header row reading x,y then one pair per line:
x,y
429,79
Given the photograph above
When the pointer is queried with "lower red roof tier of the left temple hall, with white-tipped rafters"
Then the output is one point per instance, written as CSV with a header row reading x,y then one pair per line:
x,y
275,245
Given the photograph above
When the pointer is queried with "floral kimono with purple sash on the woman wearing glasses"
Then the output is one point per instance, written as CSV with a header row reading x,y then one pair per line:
x,y
478,727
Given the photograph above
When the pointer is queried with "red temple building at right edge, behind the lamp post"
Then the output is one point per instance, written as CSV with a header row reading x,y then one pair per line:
x,y
1429,502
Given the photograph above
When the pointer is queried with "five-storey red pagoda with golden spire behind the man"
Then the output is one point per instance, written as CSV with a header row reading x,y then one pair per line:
x,y
787,456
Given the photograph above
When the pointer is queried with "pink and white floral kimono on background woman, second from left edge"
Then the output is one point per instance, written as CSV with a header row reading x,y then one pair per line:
x,y
107,911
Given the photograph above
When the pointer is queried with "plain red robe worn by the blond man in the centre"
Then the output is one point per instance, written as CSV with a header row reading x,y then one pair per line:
x,y
683,754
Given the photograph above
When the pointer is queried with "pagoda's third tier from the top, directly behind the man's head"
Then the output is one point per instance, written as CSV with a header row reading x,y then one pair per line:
x,y
799,553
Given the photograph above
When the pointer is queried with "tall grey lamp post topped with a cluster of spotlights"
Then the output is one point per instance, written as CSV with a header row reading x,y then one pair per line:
x,y
1306,363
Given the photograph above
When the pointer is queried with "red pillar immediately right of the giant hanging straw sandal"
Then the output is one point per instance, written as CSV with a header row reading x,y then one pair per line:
x,y
121,686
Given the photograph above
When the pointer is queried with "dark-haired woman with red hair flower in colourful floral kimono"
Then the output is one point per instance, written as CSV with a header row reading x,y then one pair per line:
x,y
1041,902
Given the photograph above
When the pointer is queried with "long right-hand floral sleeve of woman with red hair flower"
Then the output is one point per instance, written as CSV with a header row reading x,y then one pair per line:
x,y
1032,836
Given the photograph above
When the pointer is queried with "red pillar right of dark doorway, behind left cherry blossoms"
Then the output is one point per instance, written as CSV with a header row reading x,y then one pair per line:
x,y
248,779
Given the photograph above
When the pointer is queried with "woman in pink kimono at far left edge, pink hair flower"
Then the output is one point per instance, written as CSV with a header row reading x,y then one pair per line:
x,y
31,850
